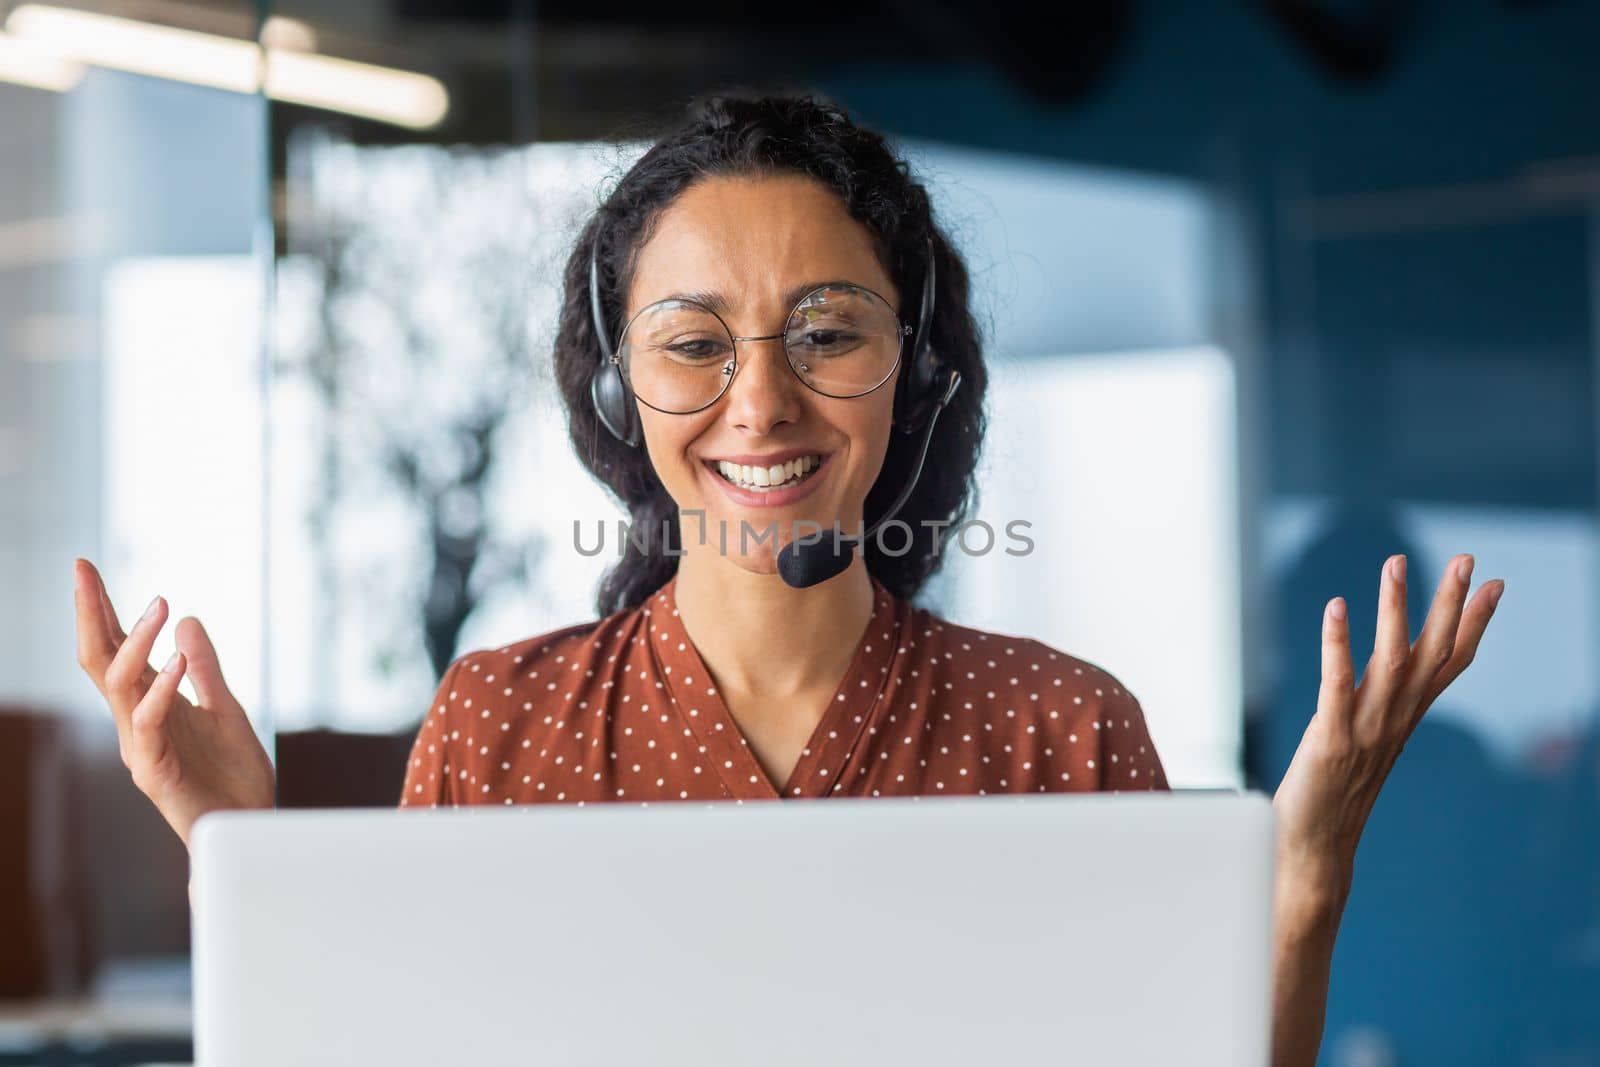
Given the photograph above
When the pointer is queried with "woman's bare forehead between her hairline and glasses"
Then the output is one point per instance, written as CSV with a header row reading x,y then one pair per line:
x,y
754,241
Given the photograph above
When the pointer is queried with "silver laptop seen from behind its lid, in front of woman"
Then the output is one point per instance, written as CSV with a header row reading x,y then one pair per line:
x,y
1098,929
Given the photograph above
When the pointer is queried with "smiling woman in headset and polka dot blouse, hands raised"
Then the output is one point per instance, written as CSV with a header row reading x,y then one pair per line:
x,y
786,318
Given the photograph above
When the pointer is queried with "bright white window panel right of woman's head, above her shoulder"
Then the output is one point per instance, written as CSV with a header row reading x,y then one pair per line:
x,y
1124,465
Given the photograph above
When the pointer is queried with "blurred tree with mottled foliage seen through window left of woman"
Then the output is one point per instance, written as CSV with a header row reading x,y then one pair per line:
x,y
422,356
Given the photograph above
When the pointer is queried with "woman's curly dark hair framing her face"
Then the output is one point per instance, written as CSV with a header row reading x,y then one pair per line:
x,y
734,134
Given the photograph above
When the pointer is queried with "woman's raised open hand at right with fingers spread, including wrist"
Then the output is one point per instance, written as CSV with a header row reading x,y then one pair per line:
x,y
1358,733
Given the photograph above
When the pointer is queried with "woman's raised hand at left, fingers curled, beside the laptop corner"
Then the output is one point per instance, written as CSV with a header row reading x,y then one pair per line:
x,y
186,759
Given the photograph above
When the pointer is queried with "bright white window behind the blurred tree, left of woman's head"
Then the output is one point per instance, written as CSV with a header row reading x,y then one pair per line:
x,y
348,589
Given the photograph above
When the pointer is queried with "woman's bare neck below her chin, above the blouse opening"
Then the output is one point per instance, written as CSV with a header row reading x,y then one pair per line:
x,y
761,636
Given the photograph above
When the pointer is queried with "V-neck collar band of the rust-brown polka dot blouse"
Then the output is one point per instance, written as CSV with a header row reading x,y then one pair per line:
x,y
702,708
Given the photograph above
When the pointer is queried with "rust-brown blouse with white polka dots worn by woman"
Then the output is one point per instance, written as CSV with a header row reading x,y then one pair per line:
x,y
623,709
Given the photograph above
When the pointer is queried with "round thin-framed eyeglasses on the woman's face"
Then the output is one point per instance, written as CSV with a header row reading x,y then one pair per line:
x,y
841,340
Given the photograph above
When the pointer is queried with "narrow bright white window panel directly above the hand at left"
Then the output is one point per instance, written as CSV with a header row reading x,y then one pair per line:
x,y
183,452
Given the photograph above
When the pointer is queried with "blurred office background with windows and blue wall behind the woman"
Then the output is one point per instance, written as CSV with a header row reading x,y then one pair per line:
x,y
1273,290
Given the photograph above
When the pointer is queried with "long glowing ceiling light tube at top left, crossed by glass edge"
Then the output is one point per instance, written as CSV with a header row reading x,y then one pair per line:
x,y
225,63
